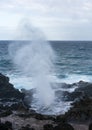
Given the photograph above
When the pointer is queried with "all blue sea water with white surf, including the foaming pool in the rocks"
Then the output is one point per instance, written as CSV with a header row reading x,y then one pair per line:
x,y
73,62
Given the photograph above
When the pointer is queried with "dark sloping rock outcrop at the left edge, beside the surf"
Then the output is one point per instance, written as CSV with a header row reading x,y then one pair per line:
x,y
10,97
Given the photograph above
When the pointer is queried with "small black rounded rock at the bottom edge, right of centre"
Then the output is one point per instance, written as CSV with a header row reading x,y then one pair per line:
x,y
64,126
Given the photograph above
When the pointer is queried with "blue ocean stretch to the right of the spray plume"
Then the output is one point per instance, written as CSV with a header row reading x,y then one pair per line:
x,y
74,60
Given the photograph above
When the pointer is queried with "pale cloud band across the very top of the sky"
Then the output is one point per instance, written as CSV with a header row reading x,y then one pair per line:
x,y
75,9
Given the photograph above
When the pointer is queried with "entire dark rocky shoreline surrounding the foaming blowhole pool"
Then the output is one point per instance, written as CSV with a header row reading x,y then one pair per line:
x,y
16,115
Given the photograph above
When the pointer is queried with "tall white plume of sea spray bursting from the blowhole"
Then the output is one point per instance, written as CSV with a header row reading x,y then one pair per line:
x,y
35,58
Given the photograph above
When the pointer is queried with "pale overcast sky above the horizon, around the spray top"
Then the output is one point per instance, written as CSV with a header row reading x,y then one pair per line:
x,y
57,19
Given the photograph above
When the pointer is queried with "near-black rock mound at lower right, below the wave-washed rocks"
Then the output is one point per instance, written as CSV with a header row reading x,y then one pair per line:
x,y
81,110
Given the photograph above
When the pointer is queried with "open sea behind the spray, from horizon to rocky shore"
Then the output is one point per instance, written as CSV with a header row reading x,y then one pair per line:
x,y
73,63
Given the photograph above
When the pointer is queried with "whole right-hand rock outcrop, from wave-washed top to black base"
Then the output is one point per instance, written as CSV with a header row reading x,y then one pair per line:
x,y
81,109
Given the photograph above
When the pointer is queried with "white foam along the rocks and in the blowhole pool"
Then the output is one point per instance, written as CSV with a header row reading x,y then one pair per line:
x,y
57,107
